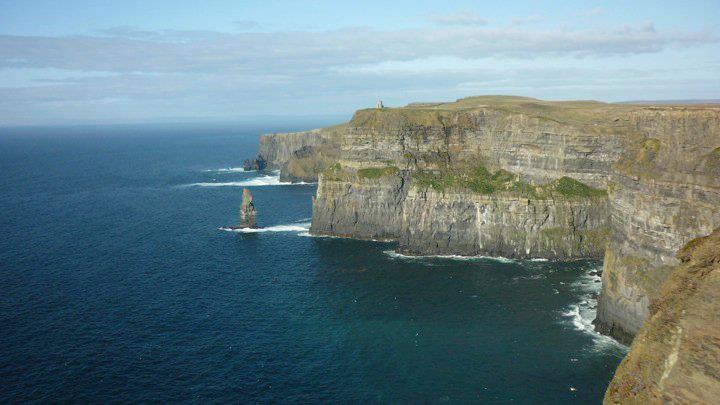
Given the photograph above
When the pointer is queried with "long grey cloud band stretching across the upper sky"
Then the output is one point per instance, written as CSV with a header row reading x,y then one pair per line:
x,y
126,50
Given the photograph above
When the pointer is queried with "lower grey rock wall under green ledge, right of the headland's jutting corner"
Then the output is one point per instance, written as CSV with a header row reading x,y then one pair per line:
x,y
470,224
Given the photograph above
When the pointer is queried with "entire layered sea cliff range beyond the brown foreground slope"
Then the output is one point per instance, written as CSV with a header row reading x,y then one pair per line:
x,y
522,178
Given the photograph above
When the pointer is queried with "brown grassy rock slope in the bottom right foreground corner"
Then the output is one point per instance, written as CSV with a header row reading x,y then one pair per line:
x,y
676,356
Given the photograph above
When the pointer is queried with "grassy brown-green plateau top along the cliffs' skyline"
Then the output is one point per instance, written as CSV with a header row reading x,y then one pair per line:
x,y
580,113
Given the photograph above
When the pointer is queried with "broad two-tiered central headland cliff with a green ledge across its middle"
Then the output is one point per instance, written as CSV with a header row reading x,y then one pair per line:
x,y
435,203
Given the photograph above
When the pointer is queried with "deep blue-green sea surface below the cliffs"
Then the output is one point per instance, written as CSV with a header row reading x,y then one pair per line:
x,y
117,286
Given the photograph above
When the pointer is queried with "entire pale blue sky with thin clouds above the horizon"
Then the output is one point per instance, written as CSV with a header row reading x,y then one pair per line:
x,y
154,61
